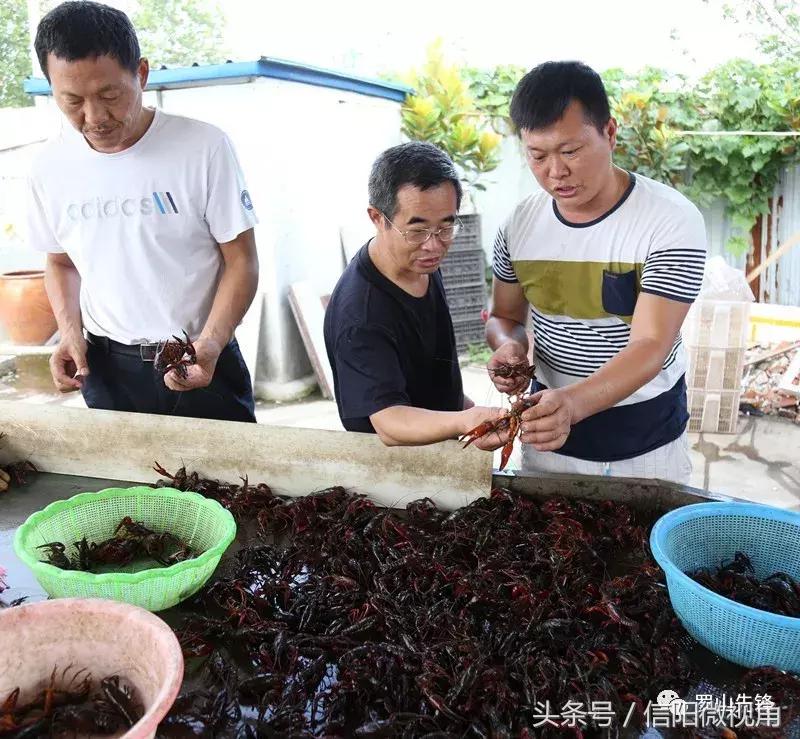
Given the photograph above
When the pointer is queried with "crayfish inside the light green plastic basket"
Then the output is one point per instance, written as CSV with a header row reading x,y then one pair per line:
x,y
131,541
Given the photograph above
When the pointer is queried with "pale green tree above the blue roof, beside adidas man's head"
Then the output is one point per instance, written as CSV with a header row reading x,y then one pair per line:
x,y
180,32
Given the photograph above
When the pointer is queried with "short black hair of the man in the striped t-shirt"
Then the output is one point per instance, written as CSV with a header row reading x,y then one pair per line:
x,y
546,91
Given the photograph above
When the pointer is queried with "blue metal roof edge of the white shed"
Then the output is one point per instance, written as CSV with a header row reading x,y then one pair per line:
x,y
211,74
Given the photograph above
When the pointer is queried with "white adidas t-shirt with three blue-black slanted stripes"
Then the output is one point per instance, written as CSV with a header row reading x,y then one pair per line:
x,y
142,226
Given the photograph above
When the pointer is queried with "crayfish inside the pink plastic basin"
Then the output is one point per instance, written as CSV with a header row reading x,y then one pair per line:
x,y
69,707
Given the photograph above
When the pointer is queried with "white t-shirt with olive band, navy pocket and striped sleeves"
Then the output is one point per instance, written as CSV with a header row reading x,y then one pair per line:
x,y
582,281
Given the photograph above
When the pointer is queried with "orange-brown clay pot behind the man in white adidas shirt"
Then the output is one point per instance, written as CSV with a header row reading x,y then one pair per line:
x,y
25,311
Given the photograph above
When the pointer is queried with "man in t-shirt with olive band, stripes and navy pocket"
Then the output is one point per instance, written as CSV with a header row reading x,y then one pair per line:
x,y
608,263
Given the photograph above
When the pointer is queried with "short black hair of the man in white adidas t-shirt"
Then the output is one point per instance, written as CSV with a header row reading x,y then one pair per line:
x,y
81,29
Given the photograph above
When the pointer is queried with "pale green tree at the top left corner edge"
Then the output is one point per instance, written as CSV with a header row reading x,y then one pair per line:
x,y
16,64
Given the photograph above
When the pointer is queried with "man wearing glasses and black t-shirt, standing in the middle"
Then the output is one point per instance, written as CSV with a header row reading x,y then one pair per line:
x,y
388,331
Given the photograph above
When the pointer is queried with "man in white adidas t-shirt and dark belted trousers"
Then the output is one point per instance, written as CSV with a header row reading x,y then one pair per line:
x,y
148,229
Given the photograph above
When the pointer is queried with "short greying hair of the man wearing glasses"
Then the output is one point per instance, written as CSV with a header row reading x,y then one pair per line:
x,y
416,163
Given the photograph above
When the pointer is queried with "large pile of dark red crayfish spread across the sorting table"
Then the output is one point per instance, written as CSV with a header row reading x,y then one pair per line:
x,y
342,619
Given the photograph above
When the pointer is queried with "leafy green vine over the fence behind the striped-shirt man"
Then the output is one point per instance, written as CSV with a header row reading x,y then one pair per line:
x,y
654,108
